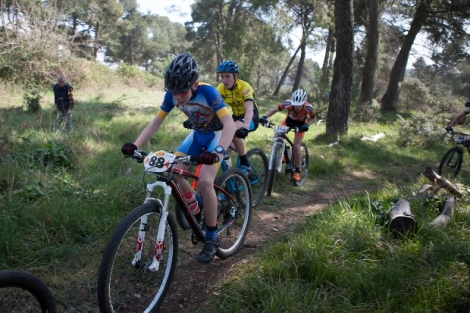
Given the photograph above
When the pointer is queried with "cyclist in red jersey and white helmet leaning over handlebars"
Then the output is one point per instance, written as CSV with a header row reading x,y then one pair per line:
x,y
300,114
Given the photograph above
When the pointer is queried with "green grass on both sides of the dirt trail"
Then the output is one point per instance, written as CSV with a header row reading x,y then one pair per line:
x,y
56,221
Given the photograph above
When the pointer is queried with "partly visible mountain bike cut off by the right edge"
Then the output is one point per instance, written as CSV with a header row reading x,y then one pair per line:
x,y
451,163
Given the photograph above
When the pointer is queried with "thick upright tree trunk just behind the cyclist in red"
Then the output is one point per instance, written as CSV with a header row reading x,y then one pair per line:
x,y
340,96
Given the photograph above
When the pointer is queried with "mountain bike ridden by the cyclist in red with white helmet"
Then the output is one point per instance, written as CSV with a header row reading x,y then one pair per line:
x,y
282,152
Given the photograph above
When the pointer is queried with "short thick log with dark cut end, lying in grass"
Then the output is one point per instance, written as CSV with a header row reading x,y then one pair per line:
x,y
402,220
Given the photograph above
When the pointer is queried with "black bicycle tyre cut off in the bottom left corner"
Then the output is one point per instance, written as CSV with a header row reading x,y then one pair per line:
x,y
21,291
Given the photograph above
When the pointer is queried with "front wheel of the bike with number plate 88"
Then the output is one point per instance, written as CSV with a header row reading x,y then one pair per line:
x,y
124,287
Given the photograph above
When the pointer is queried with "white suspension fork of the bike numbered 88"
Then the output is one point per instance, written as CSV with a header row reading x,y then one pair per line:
x,y
144,227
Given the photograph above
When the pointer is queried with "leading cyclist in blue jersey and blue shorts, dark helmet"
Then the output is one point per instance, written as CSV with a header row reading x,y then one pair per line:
x,y
213,127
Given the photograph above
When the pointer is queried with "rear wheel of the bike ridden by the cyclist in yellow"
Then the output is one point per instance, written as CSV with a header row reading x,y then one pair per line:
x,y
258,175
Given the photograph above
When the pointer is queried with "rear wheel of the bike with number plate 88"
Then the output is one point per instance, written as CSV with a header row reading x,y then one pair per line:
x,y
233,216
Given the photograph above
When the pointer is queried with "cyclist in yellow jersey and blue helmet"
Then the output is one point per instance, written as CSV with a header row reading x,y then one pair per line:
x,y
240,96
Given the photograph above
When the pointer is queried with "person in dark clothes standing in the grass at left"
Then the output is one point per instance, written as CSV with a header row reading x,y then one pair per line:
x,y
64,102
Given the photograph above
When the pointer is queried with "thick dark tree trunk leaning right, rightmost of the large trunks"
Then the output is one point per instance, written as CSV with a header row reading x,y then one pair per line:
x,y
398,71
